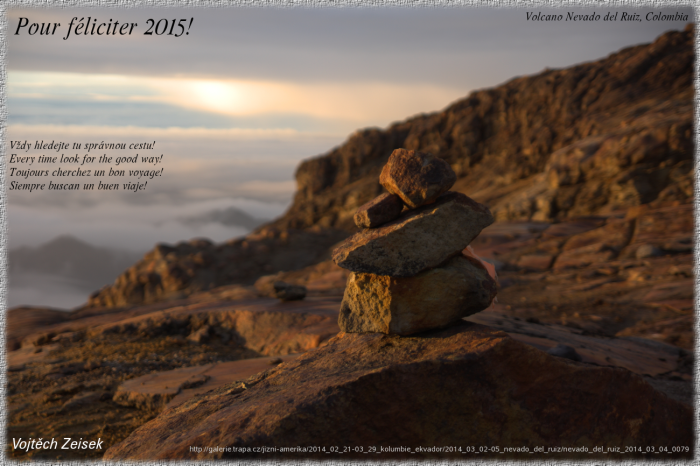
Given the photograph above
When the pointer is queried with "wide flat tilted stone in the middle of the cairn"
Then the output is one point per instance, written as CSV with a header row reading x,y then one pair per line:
x,y
423,238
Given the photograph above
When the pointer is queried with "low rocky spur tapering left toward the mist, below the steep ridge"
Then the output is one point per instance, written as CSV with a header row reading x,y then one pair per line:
x,y
171,272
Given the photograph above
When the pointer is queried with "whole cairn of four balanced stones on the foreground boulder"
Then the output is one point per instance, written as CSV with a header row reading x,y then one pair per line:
x,y
409,273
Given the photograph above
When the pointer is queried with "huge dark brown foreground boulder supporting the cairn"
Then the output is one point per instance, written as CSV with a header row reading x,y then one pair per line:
x,y
465,385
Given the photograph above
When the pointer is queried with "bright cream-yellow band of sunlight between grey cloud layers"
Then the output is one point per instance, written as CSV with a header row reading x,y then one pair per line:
x,y
367,103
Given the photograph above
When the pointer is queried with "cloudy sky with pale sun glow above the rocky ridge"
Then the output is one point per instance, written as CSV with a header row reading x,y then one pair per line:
x,y
236,104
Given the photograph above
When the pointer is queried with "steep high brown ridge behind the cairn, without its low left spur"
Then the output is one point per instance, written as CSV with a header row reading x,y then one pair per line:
x,y
521,123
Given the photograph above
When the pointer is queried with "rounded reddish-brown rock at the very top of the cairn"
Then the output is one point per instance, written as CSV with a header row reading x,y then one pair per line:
x,y
417,177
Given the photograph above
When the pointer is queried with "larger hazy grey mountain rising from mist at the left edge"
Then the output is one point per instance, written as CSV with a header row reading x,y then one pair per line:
x,y
70,257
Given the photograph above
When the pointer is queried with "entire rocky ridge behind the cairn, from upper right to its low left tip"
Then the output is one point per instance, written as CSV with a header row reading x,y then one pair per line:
x,y
590,139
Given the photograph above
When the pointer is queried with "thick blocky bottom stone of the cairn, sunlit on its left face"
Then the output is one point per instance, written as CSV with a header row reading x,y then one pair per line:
x,y
431,299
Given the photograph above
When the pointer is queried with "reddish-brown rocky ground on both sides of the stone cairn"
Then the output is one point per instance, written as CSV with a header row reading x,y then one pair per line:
x,y
618,289
